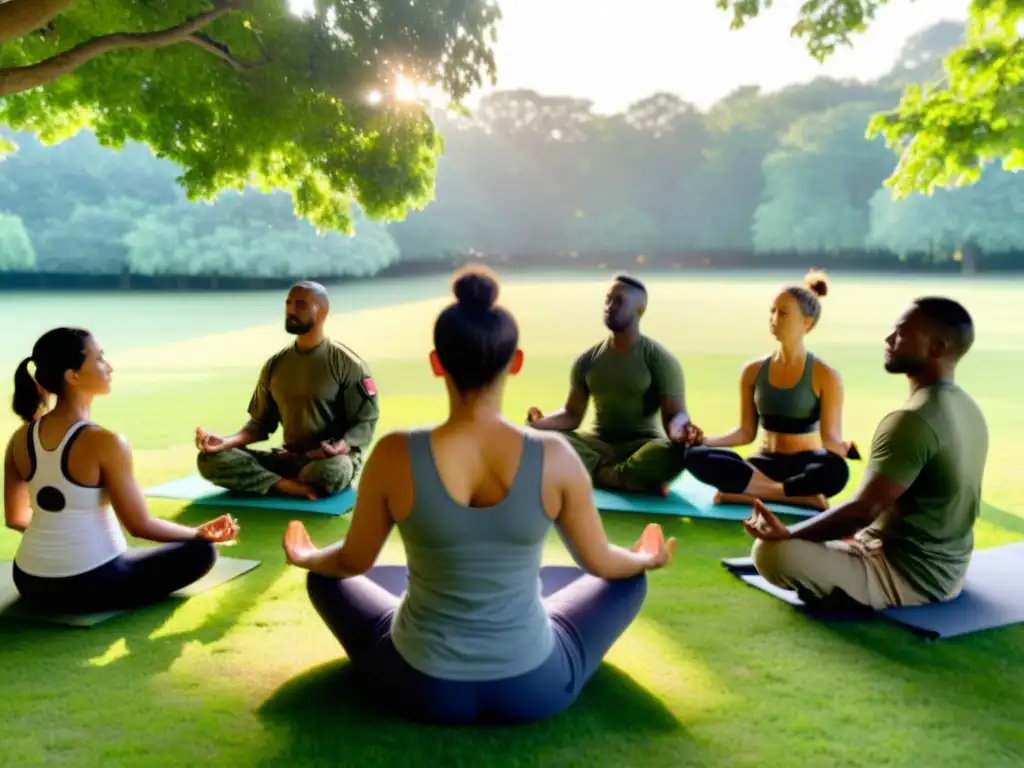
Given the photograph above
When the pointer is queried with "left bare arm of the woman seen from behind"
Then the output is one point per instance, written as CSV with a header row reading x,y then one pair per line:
x,y
372,522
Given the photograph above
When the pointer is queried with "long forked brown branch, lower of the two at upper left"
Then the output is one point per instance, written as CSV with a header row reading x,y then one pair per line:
x,y
19,79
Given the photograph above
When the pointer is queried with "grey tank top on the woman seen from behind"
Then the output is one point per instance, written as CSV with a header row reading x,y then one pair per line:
x,y
474,610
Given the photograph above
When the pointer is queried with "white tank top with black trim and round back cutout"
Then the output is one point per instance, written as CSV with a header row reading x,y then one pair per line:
x,y
73,528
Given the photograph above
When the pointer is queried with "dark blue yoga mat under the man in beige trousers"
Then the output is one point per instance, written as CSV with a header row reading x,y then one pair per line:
x,y
993,596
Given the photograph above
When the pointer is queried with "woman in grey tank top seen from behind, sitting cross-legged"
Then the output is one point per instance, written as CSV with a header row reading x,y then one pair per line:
x,y
476,629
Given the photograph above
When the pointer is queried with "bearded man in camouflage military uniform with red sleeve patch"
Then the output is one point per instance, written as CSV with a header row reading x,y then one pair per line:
x,y
323,397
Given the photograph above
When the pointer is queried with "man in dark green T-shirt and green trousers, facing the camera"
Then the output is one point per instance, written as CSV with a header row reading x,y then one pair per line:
x,y
632,379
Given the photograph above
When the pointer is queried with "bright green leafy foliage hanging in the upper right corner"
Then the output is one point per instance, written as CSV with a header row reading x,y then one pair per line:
x,y
946,132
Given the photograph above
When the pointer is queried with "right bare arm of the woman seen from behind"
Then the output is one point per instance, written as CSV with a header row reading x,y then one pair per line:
x,y
579,523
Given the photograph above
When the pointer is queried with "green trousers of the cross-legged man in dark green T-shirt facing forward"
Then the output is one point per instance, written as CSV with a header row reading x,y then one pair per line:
x,y
644,465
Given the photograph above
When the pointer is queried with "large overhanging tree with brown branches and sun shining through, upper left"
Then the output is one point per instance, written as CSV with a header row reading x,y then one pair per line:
x,y
244,93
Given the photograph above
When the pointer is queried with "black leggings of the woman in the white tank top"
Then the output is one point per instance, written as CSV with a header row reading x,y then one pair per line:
x,y
138,578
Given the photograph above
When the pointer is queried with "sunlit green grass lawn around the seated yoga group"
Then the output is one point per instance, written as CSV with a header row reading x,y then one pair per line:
x,y
712,674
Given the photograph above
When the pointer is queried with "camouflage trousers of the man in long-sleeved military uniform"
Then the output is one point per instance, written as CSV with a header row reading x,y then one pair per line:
x,y
257,472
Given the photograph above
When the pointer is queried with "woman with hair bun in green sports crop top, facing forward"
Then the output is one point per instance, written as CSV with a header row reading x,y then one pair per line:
x,y
799,403
